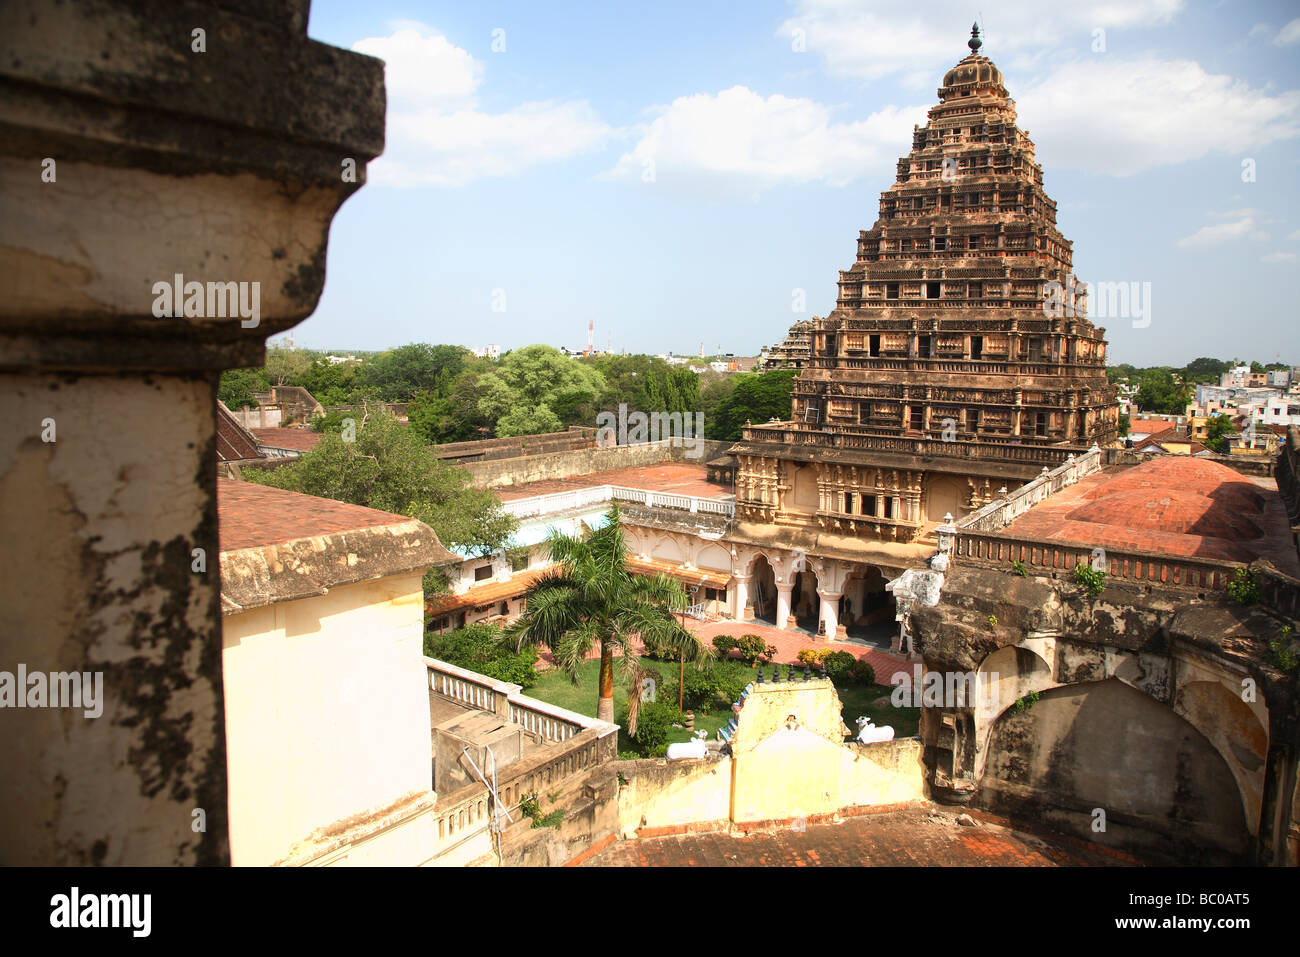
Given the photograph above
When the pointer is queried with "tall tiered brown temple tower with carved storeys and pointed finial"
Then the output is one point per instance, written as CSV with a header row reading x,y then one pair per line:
x,y
959,358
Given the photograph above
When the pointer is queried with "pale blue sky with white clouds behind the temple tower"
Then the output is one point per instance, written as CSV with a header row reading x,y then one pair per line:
x,y
675,172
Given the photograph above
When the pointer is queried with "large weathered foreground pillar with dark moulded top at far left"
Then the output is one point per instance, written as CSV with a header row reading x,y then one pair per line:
x,y
133,158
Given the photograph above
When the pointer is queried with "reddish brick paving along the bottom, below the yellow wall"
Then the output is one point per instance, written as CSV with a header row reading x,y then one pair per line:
x,y
920,835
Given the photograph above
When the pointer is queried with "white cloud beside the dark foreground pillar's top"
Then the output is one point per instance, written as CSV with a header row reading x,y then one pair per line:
x,y
436,133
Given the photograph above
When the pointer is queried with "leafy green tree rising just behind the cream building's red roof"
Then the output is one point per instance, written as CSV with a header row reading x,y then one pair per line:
x,y
391,469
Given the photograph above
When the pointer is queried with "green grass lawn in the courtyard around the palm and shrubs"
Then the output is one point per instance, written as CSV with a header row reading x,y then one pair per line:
x,y
557,688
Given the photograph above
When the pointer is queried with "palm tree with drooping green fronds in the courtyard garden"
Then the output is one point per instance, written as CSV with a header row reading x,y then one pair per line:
x,y
592,599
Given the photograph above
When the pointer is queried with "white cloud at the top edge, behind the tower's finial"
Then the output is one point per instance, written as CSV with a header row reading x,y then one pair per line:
x,y
921,41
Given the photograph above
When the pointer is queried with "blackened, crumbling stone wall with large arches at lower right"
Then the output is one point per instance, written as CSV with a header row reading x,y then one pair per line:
x,y
1162,709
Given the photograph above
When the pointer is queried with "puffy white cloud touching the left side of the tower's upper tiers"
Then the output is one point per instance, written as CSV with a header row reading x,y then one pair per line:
x,y
742,144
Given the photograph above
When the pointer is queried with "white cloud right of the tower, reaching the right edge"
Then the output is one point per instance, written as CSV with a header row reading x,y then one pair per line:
x,y
1123,118
